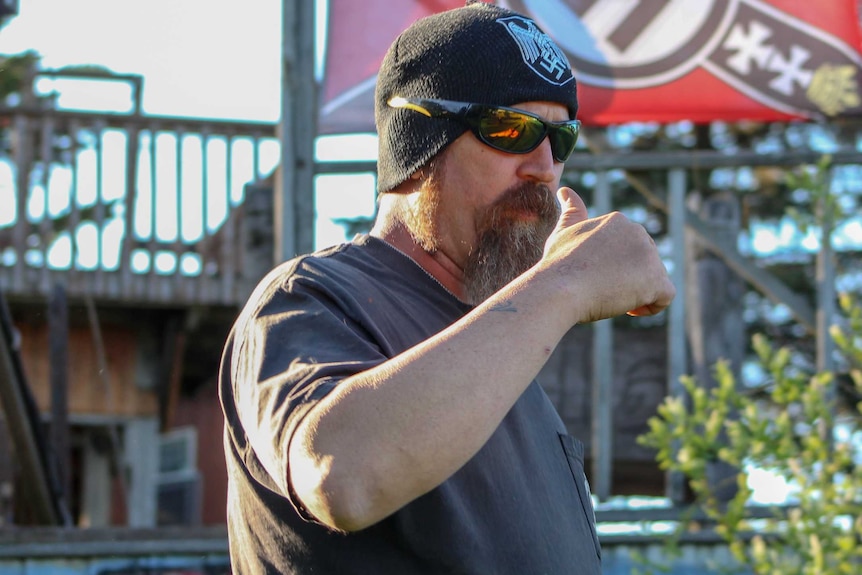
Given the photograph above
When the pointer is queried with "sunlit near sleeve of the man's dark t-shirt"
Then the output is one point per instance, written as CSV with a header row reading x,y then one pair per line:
x,y
288,354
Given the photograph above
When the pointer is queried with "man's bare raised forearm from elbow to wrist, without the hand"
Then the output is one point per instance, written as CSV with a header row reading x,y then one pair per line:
x,y
388,435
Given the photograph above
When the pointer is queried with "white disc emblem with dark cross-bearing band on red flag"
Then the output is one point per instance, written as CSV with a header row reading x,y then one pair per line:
x,y
761,51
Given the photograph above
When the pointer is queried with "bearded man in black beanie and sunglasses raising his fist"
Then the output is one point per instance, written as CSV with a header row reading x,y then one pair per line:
x,y
381,410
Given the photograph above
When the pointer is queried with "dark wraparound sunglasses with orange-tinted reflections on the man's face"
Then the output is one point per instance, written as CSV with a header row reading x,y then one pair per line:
x,y
505,129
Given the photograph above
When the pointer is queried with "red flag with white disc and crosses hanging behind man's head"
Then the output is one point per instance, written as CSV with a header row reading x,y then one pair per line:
x,y
640,60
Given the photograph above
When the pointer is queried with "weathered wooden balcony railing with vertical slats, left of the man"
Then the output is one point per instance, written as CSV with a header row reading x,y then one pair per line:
x,y
130,207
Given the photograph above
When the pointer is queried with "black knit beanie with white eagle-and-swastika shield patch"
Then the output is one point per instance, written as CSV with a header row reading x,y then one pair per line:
x,y
480,53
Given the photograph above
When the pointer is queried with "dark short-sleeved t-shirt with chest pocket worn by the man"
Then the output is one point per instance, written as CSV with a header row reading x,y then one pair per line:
x,y
521,505
